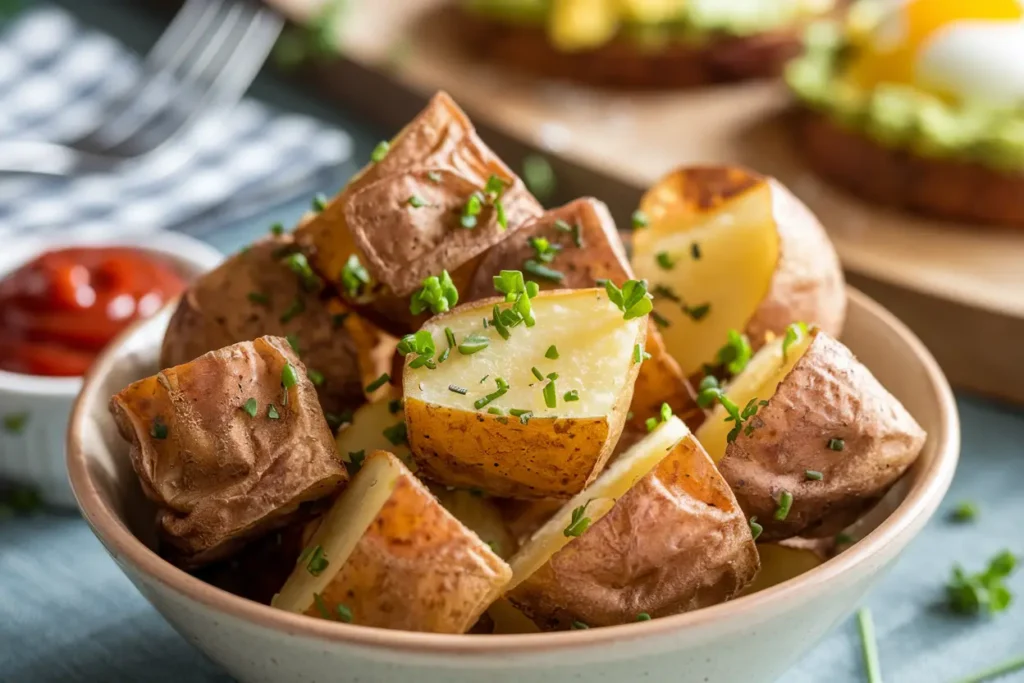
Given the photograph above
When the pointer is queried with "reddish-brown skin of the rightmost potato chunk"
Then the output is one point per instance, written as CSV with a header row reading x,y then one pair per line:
x,y
828,395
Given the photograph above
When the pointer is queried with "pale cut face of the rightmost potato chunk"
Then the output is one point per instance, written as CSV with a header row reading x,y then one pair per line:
x,y
759,380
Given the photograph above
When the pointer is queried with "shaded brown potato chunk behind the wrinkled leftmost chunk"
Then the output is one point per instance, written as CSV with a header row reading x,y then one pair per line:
x,y
255,293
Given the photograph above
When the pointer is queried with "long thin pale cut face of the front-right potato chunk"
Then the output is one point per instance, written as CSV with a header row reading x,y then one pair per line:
x,y
600,498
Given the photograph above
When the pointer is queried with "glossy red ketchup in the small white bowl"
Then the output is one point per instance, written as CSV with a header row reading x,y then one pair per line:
x,y
59,312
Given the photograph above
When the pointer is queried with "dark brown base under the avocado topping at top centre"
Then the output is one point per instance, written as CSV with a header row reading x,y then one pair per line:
x,y
622,64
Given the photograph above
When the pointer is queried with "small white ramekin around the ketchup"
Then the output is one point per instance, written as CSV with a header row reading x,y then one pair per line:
x,y
35,454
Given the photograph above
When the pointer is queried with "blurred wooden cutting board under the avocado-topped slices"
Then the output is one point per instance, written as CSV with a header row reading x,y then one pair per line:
x,y
961,287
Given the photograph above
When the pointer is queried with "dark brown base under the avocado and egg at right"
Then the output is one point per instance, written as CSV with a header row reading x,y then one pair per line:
x,y
946,189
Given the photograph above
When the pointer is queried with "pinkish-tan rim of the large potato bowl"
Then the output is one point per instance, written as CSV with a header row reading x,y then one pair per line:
x,y
921,501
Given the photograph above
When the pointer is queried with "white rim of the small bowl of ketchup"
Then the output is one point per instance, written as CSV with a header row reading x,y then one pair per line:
x,y
182,250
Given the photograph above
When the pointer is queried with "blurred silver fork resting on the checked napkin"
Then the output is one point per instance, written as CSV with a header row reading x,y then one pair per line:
x,y
209,56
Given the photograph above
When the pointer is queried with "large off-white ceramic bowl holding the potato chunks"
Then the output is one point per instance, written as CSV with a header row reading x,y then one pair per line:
x,y
749,641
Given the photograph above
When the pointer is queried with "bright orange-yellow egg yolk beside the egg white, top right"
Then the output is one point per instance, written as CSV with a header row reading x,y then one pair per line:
x,y
889,53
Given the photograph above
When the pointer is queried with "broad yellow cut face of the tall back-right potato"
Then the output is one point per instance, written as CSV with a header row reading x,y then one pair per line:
x,y
740,250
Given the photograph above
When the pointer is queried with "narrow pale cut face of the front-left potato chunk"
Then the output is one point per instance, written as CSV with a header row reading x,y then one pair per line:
x,y
342,529
